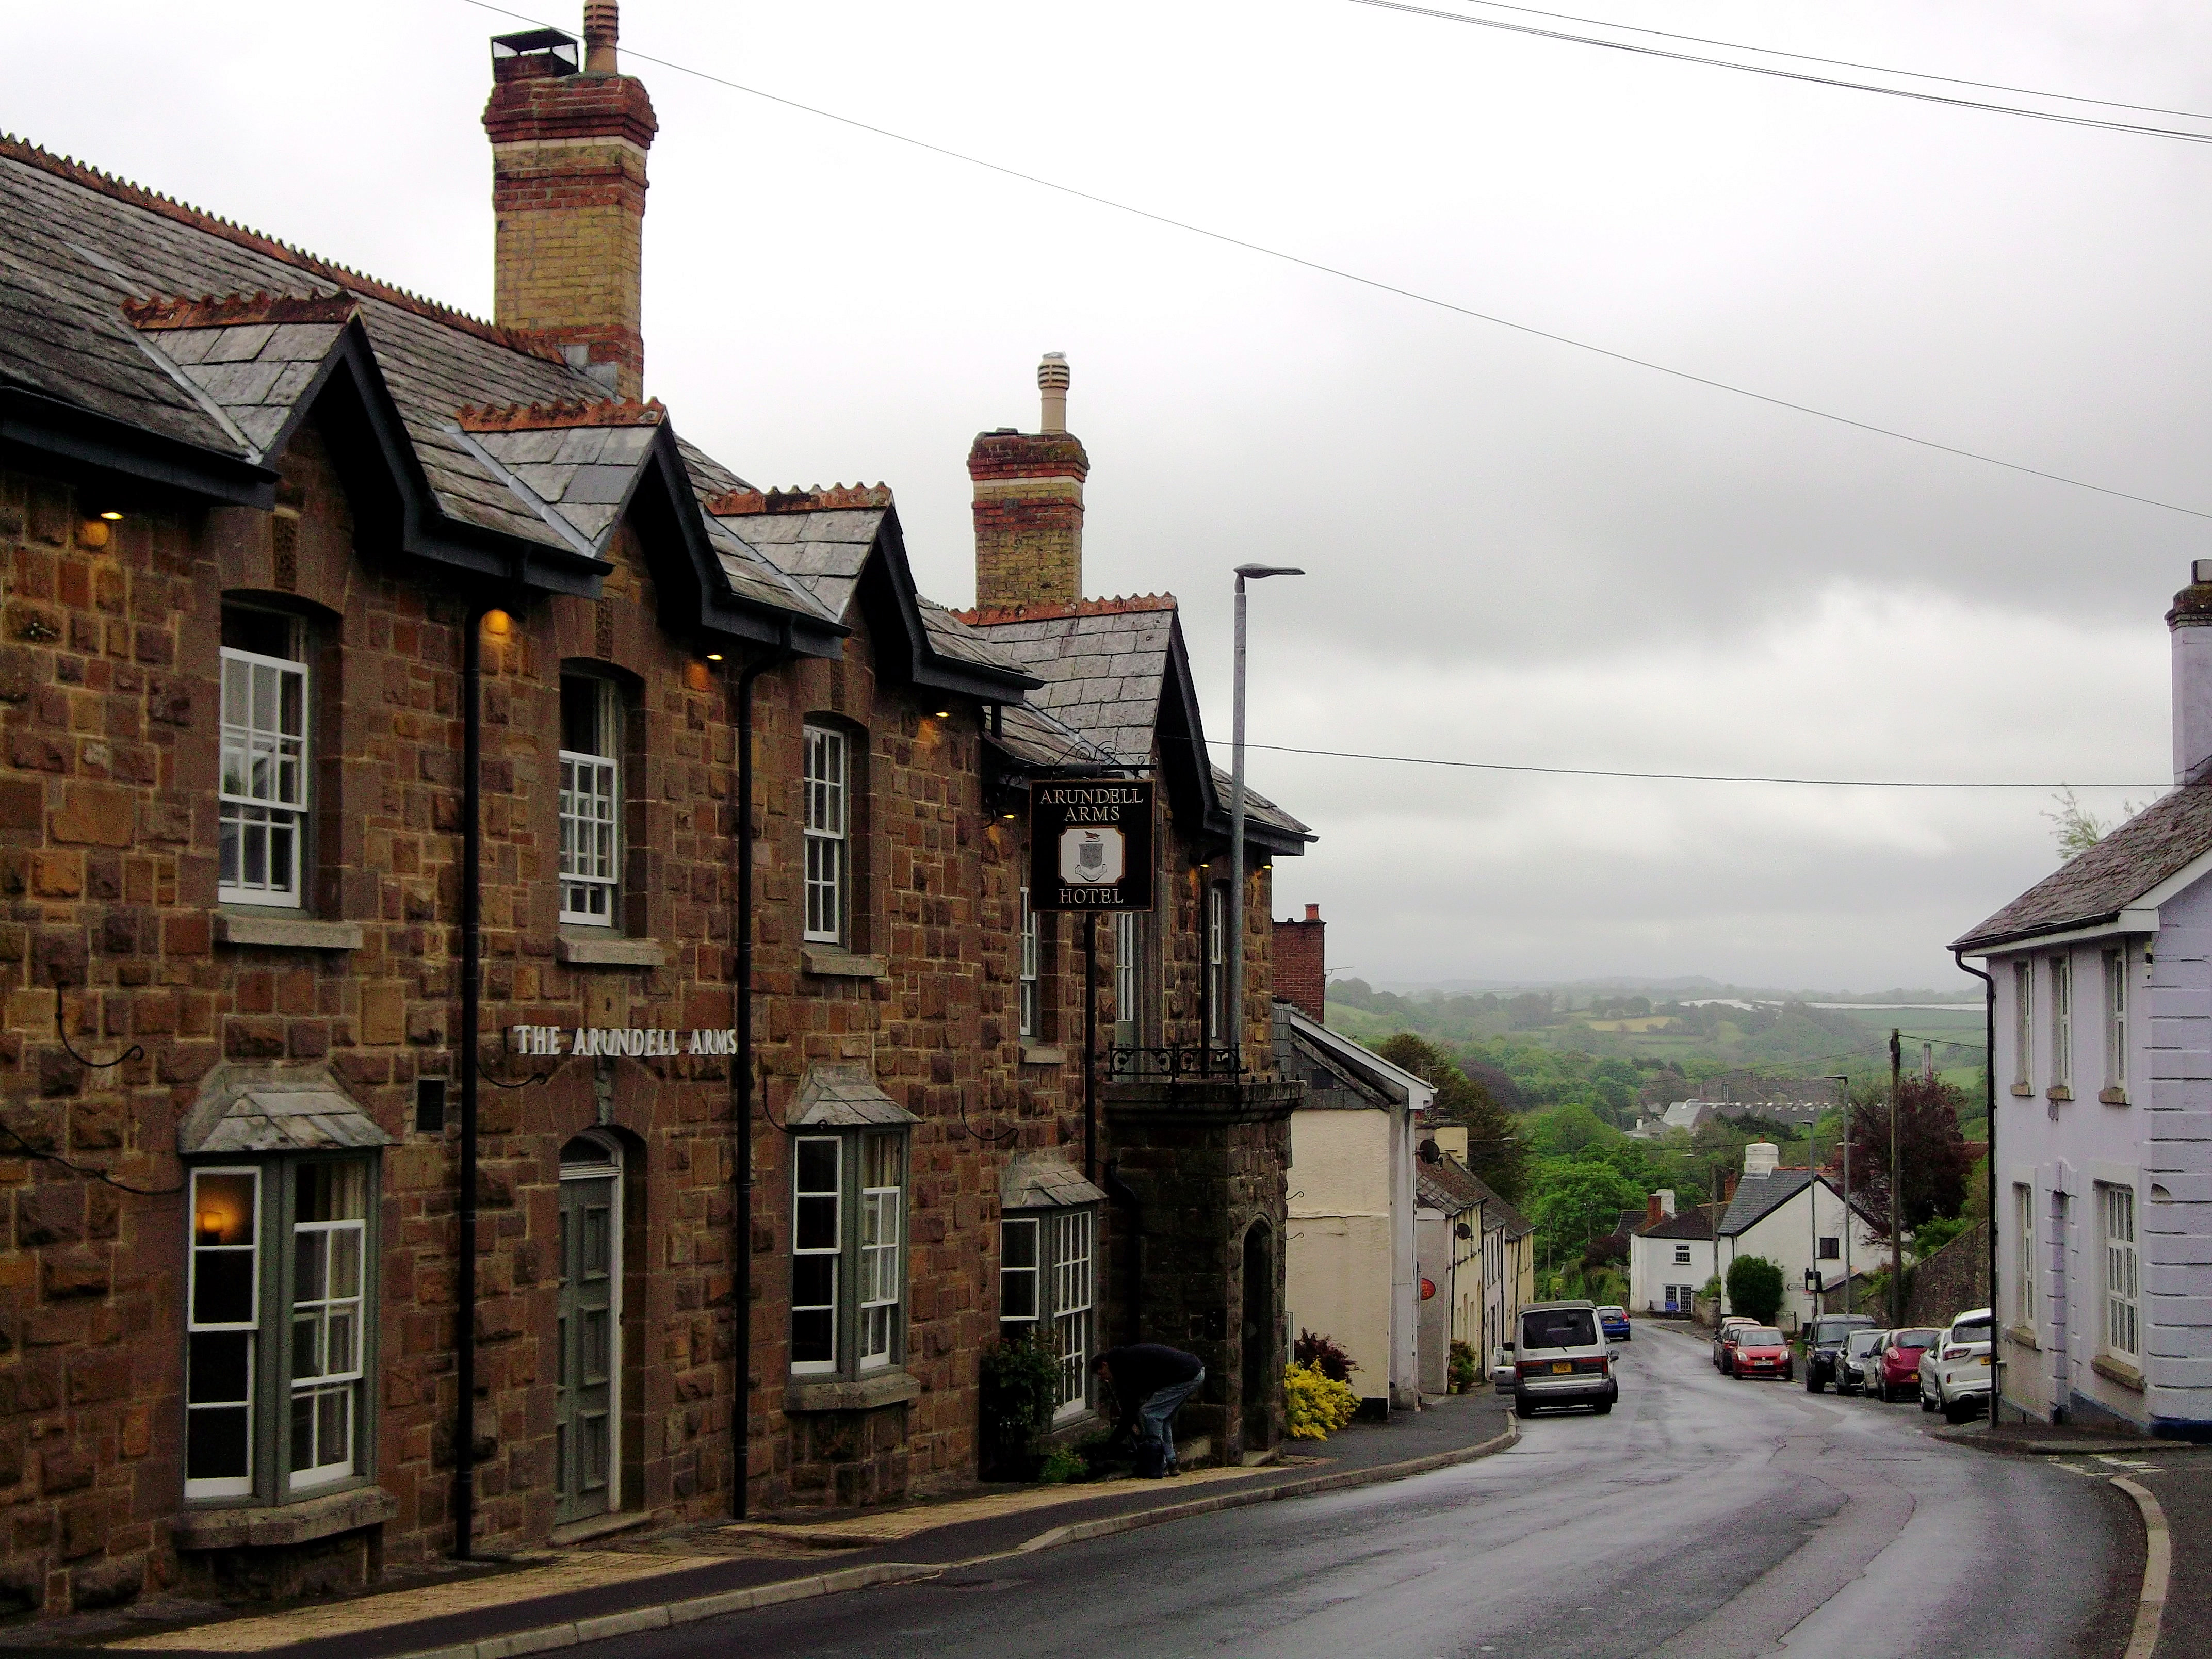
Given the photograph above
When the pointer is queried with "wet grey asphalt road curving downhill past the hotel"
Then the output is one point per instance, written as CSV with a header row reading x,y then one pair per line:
x,y
1704,1519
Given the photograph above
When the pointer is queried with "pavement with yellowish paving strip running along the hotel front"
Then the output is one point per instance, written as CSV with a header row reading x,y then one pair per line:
x,y
658,1580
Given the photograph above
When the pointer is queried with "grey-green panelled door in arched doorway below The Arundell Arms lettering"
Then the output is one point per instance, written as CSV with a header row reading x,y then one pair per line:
x,y
587,1366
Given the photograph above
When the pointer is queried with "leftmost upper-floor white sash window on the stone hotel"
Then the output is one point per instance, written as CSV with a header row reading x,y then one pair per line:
x,y
262,778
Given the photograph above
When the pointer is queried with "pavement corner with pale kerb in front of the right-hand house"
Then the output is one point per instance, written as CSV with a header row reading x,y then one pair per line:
x,y
2180,1485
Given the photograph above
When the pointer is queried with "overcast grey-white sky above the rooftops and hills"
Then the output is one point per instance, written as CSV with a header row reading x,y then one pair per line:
x,y
1516,552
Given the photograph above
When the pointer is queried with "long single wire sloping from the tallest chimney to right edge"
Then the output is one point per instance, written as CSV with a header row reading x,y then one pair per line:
x,y
1377,284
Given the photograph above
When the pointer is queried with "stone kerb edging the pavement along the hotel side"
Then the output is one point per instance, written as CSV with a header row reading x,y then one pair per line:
x,y
572,1634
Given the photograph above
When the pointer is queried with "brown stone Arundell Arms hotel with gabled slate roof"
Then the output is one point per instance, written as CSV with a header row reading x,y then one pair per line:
x,y
512,926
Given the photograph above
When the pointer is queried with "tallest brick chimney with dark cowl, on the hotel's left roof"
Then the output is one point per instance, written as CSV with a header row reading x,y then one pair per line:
x,y
570,191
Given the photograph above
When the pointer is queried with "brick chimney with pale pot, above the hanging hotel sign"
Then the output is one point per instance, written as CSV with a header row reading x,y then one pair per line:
x,y
1030,505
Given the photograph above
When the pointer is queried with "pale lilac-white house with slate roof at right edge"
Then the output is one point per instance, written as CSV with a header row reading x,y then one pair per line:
x,y
2103,1138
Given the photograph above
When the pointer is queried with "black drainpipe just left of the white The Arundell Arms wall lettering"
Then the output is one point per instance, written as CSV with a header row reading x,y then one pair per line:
x,y
472,904
